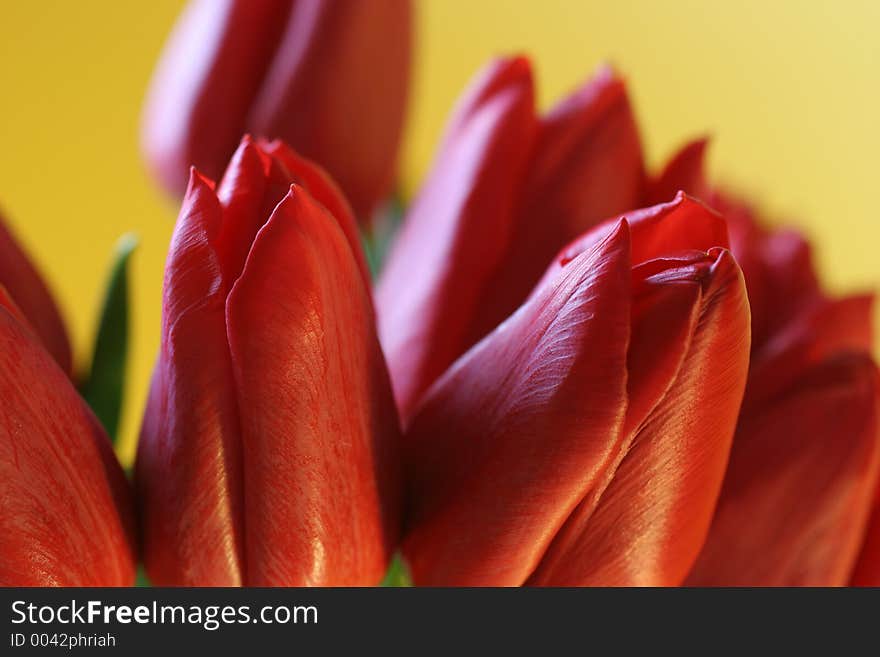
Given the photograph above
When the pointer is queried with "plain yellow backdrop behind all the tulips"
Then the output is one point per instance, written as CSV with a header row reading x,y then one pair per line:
x,y
789,90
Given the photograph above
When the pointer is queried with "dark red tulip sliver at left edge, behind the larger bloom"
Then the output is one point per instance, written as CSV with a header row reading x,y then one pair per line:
x,y
23,282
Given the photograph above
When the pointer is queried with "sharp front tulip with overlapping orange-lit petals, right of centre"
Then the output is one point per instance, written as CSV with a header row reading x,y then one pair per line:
x,y
584,440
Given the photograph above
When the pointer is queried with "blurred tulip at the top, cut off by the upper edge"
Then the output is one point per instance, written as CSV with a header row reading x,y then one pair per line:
x,y
329,77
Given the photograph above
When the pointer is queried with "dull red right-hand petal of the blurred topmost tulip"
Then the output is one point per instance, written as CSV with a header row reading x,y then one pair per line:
x,y
337,89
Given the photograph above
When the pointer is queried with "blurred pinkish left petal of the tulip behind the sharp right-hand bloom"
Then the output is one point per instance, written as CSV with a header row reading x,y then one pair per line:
x,y
437,278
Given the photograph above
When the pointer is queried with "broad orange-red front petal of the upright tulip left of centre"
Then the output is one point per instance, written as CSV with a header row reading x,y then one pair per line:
x,y
320,431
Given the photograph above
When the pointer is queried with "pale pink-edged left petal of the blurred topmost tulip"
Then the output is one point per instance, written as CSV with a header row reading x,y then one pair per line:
x,y
203,87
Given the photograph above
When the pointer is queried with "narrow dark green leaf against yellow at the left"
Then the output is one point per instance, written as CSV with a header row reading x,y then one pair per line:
x,y
104,386
